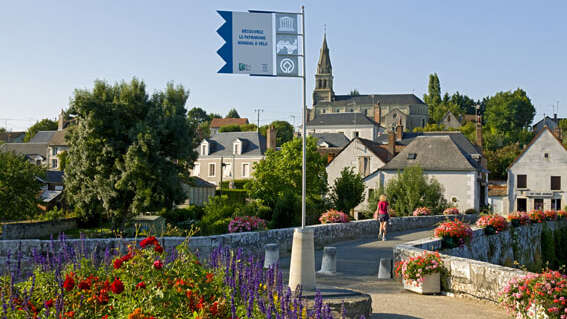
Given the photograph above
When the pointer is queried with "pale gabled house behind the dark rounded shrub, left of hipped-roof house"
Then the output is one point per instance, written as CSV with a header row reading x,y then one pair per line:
x,y
365,156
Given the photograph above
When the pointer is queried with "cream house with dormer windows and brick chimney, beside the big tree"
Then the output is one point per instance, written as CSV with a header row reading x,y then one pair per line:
x,y
231,155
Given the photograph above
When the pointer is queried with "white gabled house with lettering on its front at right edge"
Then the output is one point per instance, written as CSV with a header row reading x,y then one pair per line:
x,y
537,178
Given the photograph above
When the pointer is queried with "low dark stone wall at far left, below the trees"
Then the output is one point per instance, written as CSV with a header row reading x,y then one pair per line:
x,y
27,230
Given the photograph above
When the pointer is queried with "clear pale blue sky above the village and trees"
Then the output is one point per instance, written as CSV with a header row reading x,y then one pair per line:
x,y
50,48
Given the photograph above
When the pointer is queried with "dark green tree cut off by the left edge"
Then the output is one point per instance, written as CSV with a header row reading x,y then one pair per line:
x,y
18,187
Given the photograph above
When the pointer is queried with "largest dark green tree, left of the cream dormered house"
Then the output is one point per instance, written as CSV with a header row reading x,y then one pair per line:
x,y
128,151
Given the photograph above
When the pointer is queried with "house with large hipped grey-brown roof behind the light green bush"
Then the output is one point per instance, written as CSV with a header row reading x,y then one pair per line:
x,y
450,158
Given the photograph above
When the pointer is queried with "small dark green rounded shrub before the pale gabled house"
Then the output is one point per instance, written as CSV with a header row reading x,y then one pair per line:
x,y
348,190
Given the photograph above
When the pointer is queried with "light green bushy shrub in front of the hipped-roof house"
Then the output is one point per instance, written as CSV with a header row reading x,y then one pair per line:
x,y
412,189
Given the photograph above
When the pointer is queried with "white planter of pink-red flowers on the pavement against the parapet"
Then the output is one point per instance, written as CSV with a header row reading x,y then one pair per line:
x,y
421,274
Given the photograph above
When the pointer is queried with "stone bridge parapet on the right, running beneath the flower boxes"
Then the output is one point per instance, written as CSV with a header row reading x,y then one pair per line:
x,y
481,268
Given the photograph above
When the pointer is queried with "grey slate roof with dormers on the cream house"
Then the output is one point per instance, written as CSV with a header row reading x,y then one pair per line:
x,y
221,144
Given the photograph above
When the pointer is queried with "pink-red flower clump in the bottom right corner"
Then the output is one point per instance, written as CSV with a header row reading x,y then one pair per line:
x,y
537,295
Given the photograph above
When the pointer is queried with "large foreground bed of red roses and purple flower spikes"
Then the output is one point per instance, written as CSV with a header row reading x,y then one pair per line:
x,y
148,282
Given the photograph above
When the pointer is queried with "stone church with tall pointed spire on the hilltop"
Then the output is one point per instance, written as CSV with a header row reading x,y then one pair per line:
x,y
387,110
